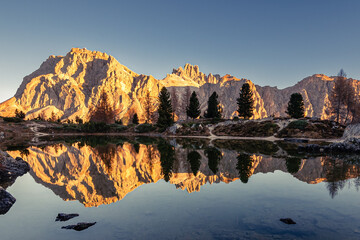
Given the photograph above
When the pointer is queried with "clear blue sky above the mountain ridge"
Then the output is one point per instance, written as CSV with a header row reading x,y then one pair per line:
x,y
274,43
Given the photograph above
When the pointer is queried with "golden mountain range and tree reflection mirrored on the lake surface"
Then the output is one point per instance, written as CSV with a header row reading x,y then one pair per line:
x,y
102,172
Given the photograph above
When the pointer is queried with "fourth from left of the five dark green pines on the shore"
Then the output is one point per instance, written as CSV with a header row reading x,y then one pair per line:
x,y
245,102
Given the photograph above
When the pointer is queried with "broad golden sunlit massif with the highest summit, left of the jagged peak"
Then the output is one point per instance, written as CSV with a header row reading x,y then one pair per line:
x,y
69,85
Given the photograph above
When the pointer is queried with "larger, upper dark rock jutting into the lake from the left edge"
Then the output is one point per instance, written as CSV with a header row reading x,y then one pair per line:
x,y
11,168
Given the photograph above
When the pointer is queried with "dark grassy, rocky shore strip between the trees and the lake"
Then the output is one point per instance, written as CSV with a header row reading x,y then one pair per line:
x,y
15,130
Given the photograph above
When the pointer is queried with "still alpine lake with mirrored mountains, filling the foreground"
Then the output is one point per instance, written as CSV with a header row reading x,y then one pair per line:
x,y
183,188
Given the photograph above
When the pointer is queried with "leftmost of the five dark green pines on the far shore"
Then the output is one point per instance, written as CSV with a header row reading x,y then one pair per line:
x,y
165,109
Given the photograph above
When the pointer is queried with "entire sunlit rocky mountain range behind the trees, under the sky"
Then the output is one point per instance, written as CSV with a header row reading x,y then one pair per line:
x,y
70,85
